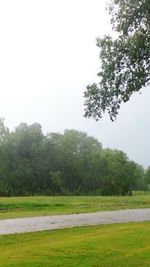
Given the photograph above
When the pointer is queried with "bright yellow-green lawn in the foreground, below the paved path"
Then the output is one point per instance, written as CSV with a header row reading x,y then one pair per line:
x,y
118,245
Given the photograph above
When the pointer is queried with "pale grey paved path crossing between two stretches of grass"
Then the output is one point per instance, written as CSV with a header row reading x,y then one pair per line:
x,y
22,225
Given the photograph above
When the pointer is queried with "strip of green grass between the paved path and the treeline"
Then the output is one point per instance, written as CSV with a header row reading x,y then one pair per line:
x,y
38,206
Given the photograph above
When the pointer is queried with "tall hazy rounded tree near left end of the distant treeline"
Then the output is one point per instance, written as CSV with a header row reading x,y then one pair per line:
x,y
24,163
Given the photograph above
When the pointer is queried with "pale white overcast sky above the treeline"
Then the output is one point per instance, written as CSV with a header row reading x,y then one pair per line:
x,y
47,57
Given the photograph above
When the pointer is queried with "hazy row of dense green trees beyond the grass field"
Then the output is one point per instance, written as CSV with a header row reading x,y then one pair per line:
x,y
71,163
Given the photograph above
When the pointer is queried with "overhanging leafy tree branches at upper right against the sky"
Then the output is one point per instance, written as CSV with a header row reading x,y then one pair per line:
x,y
125,58
